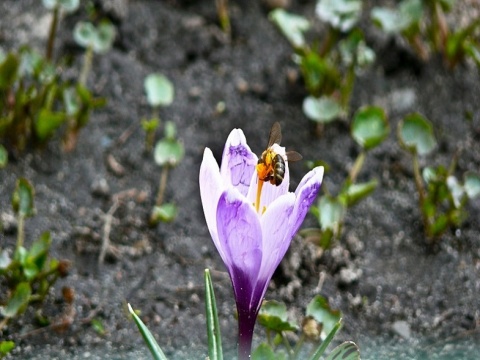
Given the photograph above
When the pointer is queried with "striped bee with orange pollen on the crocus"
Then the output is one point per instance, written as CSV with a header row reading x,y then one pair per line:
x,y
271,165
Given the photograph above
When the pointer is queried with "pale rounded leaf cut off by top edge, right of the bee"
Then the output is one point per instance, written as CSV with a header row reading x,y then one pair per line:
x,y
340,14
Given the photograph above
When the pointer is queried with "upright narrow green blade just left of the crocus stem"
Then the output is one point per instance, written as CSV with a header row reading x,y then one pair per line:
x,y
215,351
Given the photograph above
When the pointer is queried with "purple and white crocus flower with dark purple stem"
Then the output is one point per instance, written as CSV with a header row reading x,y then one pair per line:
x,y
251,223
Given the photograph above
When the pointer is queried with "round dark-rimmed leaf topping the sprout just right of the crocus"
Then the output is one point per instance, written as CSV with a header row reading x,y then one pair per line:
x,y
370,127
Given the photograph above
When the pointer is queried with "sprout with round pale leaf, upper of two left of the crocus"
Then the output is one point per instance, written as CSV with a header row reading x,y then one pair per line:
x,y
160,92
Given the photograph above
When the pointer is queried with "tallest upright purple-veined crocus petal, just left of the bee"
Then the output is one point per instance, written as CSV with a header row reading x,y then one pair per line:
x,y
238,162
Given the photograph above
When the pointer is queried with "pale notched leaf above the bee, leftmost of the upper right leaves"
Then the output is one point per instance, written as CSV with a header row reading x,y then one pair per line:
x,y
292,26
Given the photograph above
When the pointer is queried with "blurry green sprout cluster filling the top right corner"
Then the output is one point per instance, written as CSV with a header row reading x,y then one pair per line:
x,y
422,23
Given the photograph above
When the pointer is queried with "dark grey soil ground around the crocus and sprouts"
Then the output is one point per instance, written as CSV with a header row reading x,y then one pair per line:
x,y
400,298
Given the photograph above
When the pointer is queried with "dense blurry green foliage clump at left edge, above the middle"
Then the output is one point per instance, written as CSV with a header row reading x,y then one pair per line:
x,y
35,102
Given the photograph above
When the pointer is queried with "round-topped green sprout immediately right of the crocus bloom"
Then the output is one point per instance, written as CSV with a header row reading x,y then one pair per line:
x,y
369,129
